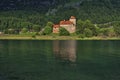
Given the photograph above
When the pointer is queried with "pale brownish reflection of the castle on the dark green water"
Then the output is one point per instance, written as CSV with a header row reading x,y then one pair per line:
x,y
65,50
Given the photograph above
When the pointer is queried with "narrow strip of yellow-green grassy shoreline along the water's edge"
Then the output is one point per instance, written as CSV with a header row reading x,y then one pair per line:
x,y
28,37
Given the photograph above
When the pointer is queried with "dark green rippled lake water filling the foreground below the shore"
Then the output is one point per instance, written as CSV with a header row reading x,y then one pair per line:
x,y
59,60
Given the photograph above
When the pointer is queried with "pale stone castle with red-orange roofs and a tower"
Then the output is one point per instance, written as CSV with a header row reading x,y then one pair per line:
x,y
69,25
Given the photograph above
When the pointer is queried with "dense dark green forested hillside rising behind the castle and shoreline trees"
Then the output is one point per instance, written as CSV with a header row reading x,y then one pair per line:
x,y
34,14
